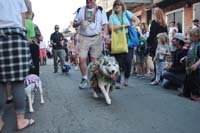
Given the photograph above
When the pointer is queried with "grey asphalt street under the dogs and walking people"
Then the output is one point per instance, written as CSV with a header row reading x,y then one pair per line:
x,y
138,108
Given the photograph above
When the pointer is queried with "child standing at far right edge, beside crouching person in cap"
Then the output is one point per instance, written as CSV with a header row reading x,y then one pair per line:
x,y
192,84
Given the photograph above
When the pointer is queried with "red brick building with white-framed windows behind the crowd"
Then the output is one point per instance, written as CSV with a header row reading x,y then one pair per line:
x,y
180,11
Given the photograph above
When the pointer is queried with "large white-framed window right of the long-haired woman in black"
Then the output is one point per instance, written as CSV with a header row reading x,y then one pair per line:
x,y
178,17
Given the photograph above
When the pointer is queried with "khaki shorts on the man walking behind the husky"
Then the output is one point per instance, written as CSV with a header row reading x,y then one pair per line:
x,y
94,44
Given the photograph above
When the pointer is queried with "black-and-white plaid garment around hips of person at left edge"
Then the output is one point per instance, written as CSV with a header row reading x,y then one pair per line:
x,y
14,54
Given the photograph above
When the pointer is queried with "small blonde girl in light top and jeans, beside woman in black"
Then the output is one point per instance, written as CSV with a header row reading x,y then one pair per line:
x,y
162,51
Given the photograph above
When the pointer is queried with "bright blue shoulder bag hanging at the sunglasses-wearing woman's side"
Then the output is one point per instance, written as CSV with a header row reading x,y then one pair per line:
x,y
132,35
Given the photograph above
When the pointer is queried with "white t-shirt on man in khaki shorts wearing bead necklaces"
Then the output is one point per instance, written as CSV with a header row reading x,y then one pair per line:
x,y
94,20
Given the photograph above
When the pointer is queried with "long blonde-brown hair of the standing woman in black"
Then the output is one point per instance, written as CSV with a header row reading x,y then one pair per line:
x,y
160,17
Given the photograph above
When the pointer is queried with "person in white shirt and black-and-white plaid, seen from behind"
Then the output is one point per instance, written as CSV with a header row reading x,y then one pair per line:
x,y
14,58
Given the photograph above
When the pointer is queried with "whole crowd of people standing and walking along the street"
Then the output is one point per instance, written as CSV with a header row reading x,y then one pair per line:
x,y
172,57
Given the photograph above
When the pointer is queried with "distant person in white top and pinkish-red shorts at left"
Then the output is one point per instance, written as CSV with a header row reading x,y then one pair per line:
x,y
43,54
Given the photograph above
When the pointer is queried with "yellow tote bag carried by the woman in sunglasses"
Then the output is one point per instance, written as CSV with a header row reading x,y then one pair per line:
x,y
119,42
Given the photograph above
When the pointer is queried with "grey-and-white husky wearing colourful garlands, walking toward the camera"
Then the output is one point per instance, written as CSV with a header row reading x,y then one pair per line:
x,y
102,75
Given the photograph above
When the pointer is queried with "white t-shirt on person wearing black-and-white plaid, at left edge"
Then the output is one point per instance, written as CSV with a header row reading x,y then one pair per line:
x,y
10,13
